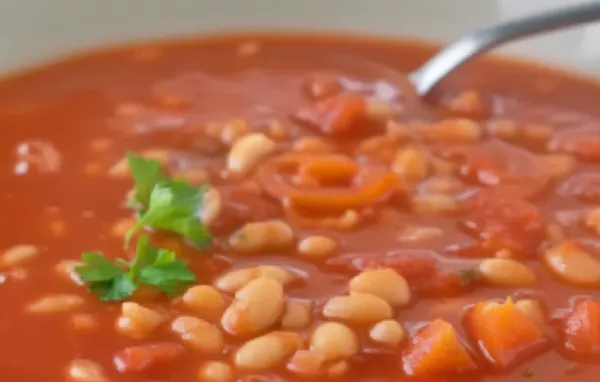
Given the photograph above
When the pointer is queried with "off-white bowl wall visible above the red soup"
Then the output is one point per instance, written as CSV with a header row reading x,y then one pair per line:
x,y
36,30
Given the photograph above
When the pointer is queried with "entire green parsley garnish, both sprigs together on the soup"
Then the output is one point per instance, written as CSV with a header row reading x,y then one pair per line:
x,y
161,203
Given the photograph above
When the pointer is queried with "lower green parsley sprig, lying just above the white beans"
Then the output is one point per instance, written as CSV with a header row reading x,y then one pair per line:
x,y
114,281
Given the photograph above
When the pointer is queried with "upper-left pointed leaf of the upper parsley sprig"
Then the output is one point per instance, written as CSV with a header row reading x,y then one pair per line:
x,y
147,173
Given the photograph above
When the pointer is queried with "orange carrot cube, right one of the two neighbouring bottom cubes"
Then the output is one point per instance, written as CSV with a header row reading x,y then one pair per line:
x,y
505,335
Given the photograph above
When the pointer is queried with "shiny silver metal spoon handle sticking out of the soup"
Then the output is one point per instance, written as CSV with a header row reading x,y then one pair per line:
x,y
480,41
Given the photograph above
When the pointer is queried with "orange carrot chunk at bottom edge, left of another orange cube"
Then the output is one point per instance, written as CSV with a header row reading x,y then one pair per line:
x,y
436,350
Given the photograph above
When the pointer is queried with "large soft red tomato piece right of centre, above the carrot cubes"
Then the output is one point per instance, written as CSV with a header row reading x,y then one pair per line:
x,y
504,222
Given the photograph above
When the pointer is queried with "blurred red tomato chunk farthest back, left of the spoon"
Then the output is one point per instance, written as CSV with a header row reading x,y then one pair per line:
x,y
341,115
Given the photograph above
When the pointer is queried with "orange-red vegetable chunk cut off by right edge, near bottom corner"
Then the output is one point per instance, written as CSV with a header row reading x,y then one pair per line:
x,y
582,328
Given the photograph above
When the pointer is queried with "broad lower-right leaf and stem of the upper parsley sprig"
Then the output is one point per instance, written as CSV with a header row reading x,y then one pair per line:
x,y
173,207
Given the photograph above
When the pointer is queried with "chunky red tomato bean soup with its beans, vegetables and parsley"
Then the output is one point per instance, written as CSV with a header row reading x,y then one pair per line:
x,y
268,208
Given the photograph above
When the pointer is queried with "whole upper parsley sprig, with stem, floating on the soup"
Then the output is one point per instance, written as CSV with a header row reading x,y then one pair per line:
x,y
169,205
